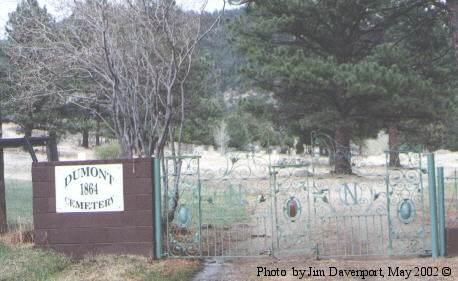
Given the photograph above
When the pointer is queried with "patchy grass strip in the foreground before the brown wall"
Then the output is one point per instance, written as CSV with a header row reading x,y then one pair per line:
x,y
24,263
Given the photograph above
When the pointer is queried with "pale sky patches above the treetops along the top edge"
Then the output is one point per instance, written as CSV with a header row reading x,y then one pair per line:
x,y
8,6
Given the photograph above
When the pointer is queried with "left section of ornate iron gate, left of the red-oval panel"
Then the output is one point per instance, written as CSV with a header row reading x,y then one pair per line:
x,y
220,209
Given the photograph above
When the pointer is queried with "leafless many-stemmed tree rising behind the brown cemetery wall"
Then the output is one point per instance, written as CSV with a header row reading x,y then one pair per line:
x,y
135,56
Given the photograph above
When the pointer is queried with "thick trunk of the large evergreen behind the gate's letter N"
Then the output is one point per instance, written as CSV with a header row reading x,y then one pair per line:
x,y
342,156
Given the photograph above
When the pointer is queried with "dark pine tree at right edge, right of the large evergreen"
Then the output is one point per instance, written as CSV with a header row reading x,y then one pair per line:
x,y
421,45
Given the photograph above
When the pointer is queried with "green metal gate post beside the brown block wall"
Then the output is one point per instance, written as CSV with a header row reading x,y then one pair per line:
x,y
157,207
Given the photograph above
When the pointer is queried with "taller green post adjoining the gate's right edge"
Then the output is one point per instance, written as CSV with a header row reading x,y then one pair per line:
x,y
432,204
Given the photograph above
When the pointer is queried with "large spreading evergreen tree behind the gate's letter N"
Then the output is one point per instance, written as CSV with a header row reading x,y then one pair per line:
x,y
313,56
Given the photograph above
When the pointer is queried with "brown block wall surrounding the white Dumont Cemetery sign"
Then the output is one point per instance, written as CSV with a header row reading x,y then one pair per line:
x,y
77,234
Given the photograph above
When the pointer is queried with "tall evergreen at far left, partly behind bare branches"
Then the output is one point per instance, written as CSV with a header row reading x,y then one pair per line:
x,y
30,57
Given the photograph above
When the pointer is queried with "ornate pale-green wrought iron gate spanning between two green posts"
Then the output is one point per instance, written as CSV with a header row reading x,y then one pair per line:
x,y
253,206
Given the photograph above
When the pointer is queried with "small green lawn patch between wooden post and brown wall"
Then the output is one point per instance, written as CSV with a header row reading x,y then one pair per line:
x,y
19,204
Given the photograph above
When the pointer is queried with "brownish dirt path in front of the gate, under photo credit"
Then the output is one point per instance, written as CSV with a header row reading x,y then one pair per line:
x,y
380,269
